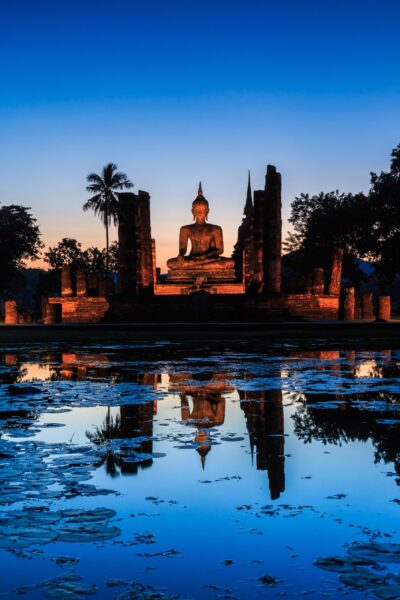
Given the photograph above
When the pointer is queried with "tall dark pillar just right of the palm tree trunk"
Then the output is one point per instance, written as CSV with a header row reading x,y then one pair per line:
x,y
127,244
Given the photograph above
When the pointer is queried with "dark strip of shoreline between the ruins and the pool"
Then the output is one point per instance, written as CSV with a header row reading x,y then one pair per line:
x,y
371,331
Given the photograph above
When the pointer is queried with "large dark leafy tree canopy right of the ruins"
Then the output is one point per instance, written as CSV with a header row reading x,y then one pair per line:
x,y
366,226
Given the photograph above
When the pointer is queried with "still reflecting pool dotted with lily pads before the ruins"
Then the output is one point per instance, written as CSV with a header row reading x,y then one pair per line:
x,y
161,471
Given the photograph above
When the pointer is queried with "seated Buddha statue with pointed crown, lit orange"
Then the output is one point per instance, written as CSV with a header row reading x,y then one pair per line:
x,y
206,242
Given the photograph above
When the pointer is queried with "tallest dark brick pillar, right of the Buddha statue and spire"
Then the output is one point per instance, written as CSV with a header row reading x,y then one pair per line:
x,y
272,255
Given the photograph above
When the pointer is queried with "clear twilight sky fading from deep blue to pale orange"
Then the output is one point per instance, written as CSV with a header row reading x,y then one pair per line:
x,y
174,91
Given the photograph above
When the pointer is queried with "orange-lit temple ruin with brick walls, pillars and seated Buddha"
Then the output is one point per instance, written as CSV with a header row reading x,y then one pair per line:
x,y
202,284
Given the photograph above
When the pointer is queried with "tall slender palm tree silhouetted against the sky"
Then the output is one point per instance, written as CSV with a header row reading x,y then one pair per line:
x,y
105,199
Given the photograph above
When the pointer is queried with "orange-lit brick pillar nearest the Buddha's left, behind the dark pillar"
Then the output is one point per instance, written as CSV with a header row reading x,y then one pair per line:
x,y
145,248
